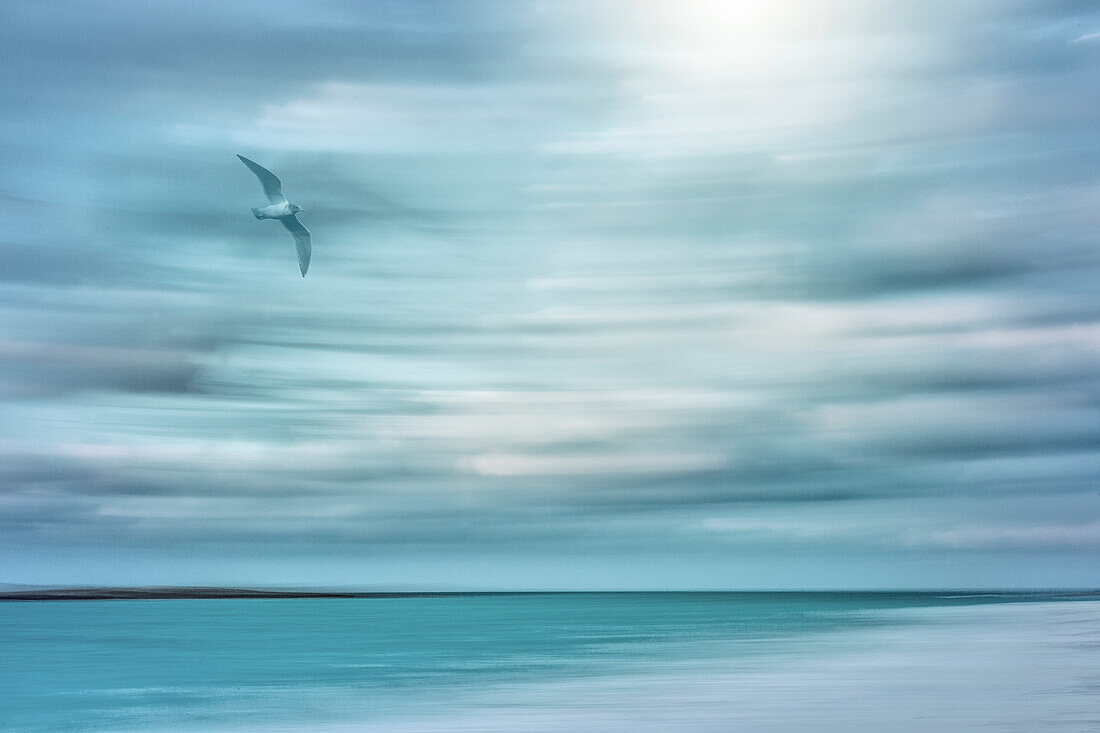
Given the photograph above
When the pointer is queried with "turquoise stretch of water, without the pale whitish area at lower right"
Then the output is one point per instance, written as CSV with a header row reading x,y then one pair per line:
x,y
430,663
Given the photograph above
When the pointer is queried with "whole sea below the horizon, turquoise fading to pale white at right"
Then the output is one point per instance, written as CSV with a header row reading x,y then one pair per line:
x,y
558,662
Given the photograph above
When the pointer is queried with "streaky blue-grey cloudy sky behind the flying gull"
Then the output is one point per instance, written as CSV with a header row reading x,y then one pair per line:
x,y
604,294
